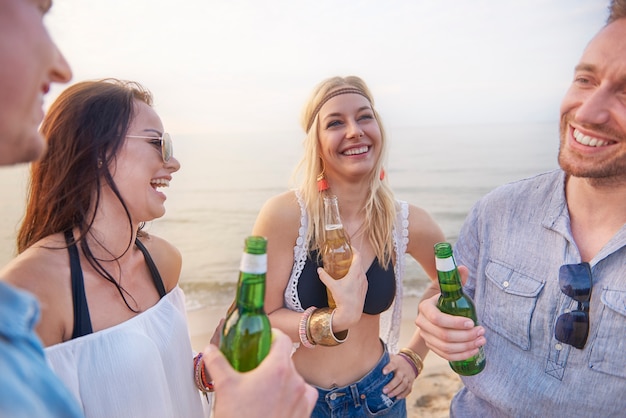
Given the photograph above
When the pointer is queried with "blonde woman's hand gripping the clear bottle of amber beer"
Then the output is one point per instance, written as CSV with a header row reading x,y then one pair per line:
x,y
349,293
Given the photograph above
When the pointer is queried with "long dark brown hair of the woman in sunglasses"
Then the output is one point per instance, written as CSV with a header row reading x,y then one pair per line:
x,y
84,129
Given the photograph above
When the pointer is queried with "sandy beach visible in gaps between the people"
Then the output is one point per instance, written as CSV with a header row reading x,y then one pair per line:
x,y
432,391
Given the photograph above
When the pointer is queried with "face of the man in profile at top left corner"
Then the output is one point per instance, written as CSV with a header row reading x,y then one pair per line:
x,y
30,63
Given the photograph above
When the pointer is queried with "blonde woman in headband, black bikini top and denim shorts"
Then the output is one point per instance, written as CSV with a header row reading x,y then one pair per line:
x,y
349,354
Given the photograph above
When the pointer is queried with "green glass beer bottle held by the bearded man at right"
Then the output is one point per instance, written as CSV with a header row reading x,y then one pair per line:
x,y
454,302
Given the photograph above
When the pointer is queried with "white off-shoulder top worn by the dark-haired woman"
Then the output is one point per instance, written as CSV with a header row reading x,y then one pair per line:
x,y
142,367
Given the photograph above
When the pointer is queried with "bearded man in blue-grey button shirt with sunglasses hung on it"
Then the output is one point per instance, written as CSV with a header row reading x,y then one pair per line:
x,y
554,337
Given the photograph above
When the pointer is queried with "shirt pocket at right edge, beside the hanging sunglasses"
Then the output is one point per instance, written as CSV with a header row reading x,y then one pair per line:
x,y
608,352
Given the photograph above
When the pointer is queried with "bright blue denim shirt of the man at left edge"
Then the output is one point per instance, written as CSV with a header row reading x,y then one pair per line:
x,y
28,387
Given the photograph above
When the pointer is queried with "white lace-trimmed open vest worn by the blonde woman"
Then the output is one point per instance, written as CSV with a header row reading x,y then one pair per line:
x,y
391,318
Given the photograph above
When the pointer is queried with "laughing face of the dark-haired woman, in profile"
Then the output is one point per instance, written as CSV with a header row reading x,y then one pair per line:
x,y
139,170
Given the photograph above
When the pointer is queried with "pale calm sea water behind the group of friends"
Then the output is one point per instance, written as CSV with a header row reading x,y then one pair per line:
x,y
225,179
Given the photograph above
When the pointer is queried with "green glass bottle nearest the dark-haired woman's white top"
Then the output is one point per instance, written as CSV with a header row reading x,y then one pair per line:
x,y
247,334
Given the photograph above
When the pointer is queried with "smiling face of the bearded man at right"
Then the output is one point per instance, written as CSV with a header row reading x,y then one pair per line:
x,y
593,111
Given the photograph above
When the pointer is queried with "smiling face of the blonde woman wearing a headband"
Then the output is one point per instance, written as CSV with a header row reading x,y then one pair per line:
x,y
350,139
